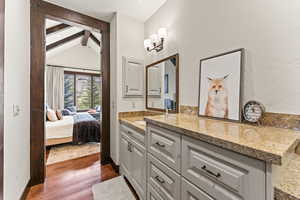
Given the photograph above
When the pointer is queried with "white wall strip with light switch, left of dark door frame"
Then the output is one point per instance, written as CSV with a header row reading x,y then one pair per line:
x,y
17,91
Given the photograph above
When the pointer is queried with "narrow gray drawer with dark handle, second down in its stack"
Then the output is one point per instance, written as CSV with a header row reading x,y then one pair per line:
x,y
163,179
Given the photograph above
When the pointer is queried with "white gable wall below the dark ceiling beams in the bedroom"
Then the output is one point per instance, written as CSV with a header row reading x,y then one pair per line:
x,y
77,56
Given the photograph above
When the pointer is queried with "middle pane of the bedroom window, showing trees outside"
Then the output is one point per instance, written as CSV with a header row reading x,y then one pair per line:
x,y
83,92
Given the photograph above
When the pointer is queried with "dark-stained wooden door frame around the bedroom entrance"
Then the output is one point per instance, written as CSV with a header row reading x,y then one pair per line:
x,y
40,10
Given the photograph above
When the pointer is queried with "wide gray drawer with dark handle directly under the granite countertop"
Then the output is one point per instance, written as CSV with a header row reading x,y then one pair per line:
x,y
223,174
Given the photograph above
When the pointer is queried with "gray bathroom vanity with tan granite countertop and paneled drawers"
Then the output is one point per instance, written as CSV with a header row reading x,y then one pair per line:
x,y
180,156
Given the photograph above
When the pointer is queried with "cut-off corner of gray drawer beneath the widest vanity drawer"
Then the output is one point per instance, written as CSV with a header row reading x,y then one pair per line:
x,y
191,192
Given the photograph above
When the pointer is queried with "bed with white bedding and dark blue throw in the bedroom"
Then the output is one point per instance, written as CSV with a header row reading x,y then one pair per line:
x,y
78,129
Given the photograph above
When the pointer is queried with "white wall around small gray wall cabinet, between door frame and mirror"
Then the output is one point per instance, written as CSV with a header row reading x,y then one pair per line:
x,y
127,40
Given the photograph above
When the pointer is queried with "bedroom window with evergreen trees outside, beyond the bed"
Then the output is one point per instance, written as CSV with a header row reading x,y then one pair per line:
x,y
87,88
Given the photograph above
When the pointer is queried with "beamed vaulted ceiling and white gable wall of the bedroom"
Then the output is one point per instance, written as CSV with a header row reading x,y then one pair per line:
x,y
66,44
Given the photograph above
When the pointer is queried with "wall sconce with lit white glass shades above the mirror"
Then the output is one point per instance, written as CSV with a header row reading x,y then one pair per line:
x,y
156,41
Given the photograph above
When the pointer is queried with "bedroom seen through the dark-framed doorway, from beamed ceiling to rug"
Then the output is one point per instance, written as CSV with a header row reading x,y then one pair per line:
x,y
73,97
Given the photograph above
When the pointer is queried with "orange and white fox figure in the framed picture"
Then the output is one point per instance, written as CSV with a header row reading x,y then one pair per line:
x,y
217,103
